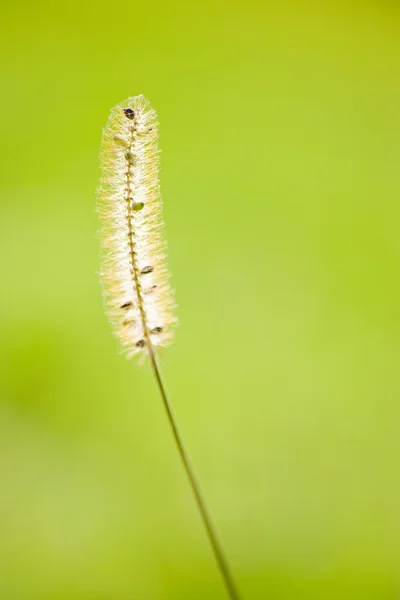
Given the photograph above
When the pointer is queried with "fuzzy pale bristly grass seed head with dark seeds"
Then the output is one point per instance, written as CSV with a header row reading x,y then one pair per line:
x,y
134,275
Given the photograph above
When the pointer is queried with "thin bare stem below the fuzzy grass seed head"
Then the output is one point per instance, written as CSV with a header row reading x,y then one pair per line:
x,y
205,515
